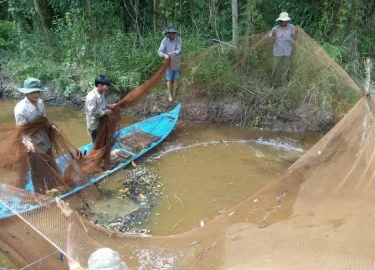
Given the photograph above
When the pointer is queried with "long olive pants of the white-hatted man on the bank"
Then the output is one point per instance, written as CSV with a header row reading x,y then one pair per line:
x,y
280,70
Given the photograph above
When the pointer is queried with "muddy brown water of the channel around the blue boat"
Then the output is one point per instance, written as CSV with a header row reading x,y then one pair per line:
x,y
204,168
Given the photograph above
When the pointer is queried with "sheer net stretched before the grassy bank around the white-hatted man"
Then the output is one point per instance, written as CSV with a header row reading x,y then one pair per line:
x,y
314,81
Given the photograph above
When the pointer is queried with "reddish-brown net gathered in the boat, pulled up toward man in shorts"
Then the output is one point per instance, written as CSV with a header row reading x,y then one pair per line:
x,y
77,166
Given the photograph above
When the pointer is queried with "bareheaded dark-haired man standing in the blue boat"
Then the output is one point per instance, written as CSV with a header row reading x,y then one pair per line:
x,y
96,106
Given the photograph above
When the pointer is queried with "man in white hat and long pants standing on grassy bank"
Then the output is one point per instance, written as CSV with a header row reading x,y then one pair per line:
x,y
282,36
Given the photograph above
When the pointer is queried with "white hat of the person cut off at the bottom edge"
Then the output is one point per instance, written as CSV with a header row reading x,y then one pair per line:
x,y
105,258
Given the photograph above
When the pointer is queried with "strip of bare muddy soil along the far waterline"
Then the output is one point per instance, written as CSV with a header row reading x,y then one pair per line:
x,y
226,109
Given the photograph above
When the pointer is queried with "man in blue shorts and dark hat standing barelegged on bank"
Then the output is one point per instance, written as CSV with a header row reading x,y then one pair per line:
x,y
170,47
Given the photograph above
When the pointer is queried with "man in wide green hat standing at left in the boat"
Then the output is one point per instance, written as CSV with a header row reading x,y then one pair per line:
x,y
30,115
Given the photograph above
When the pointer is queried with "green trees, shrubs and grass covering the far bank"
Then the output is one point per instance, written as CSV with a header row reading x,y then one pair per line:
x,y
67,43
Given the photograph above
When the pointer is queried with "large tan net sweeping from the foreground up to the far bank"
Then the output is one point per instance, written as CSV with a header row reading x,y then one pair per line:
x,y
317,215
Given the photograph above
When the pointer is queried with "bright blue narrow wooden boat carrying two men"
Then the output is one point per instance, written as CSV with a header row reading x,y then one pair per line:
x,y
159,127
